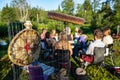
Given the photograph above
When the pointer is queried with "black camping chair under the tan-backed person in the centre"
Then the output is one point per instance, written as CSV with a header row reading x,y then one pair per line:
x,y
62,58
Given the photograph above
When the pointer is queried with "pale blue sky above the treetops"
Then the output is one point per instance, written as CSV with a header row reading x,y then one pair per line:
x,y
44,4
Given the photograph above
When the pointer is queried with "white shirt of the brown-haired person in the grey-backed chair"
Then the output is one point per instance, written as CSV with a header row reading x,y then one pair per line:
x,y
96,43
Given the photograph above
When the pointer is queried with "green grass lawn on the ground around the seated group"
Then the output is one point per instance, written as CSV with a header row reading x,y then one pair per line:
x,y
103,73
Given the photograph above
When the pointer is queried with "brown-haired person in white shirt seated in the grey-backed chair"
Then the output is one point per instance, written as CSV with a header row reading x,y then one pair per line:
x,y
98,35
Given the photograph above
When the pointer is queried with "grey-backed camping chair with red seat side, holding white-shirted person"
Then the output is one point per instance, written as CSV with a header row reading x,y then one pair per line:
x,y
97,58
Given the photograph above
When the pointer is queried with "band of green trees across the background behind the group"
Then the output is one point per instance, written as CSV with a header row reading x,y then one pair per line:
x,y
95,15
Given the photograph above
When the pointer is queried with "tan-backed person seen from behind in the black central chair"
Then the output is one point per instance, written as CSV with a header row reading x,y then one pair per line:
x,y
63,43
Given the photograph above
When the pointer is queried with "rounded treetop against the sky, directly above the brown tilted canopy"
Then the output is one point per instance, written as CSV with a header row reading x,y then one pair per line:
x,y
67,6
